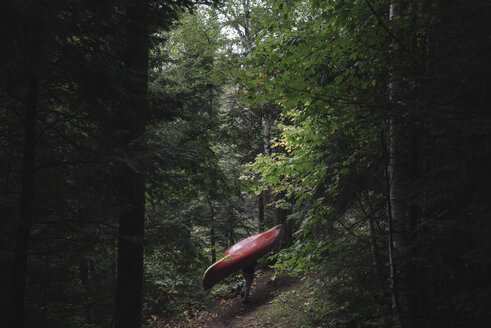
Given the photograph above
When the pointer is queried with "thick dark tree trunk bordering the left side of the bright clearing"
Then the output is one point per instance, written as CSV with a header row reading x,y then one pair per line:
x,y
128,312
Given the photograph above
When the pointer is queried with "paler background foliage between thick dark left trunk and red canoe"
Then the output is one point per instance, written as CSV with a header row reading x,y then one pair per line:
x,y
195,207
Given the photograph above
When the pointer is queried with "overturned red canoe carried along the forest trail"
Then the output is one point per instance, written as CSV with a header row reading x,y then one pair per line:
x,y
244,253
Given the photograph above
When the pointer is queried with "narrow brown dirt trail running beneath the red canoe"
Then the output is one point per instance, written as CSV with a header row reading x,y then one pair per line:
x,y
233,314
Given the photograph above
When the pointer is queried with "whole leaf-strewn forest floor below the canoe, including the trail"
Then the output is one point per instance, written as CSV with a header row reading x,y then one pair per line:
x,y
232,313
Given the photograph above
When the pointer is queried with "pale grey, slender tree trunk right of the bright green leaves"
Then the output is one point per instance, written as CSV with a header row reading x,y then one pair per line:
x,y
401,224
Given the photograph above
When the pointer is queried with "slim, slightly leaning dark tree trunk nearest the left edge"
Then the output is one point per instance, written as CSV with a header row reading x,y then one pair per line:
x,y
18,291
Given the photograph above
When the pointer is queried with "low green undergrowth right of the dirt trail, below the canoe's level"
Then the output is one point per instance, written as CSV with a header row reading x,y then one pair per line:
x,y
342,289
